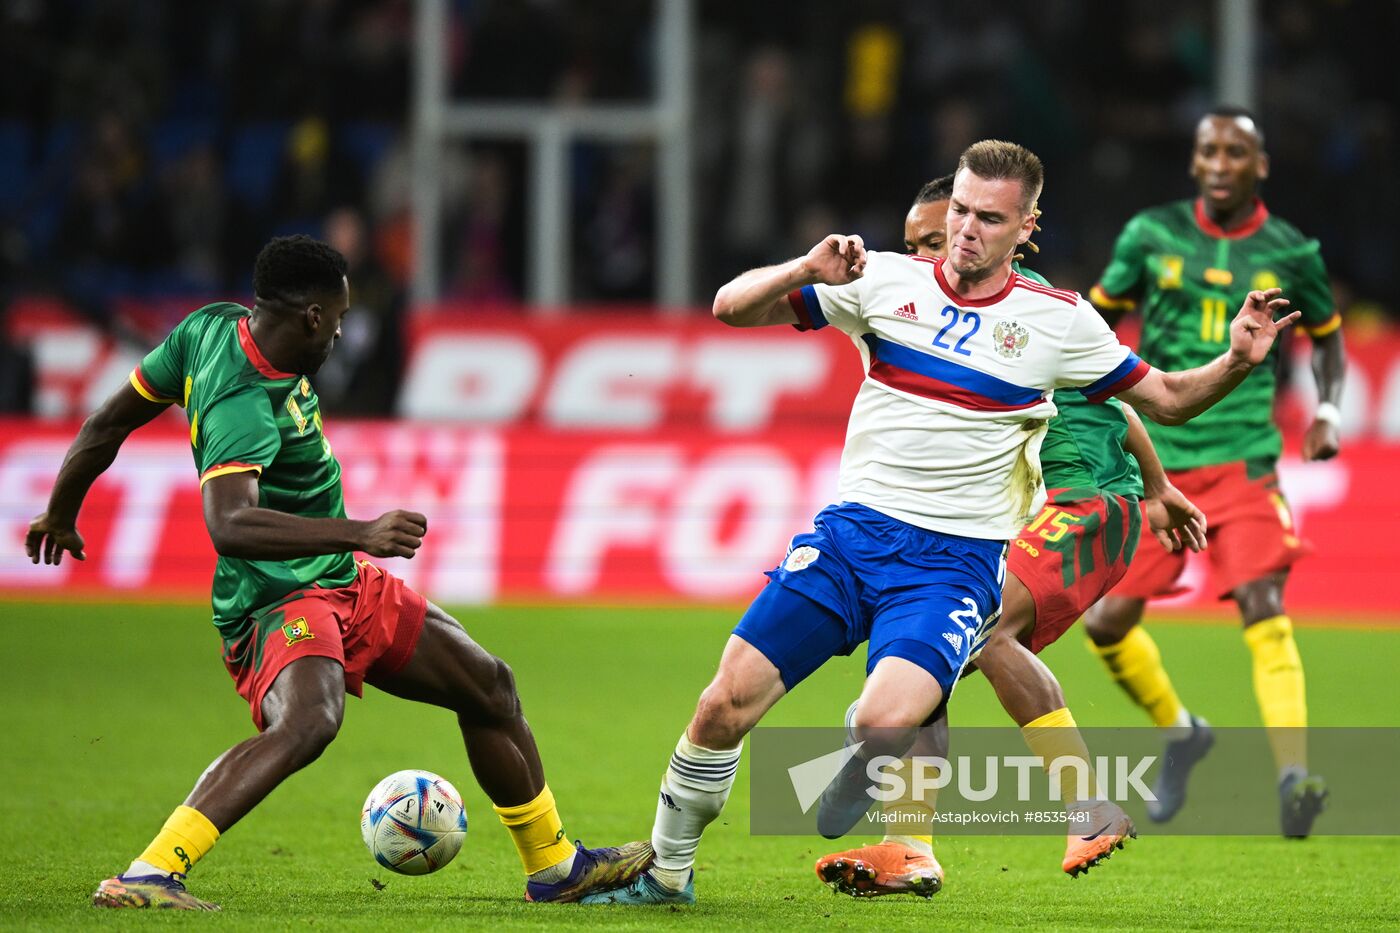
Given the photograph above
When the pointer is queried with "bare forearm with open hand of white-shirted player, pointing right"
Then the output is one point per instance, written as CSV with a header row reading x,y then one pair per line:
x,y
1175,399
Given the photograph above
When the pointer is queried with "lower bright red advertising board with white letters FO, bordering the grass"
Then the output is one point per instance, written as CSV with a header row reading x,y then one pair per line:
x,y
531,513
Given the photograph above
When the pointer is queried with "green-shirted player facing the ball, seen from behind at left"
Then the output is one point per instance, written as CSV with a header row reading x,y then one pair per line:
x,y
300,620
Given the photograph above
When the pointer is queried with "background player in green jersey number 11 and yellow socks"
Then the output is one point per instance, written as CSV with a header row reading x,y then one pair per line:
x,y
1184,265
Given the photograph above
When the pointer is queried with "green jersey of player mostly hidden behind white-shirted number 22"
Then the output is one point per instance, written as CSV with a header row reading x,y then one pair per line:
x,y
1083,449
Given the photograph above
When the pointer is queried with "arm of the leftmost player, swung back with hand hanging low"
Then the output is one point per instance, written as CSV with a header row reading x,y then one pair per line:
x,y
90,455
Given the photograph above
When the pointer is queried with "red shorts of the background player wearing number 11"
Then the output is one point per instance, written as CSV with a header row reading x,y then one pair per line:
x,y
1249,533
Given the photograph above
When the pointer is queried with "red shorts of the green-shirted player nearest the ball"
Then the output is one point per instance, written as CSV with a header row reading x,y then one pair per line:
x,y
370,627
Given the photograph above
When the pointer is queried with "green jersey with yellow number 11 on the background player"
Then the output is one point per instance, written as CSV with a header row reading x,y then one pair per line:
x,y
1189,278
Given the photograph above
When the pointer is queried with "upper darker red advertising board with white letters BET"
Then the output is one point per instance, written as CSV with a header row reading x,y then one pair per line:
x,y
628,373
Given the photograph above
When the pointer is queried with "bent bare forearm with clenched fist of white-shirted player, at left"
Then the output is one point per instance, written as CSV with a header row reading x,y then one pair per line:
x,y
759,298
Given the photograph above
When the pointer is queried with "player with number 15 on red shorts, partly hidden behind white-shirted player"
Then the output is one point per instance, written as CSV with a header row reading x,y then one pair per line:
x,y
1076,550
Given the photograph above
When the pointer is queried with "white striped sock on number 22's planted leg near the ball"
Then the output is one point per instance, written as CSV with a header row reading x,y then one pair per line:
x,y
694,791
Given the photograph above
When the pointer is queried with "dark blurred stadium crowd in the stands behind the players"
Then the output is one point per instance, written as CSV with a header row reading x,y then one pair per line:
x,y
148,148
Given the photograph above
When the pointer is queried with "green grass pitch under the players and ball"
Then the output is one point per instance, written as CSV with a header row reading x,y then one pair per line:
x,y
113,712
